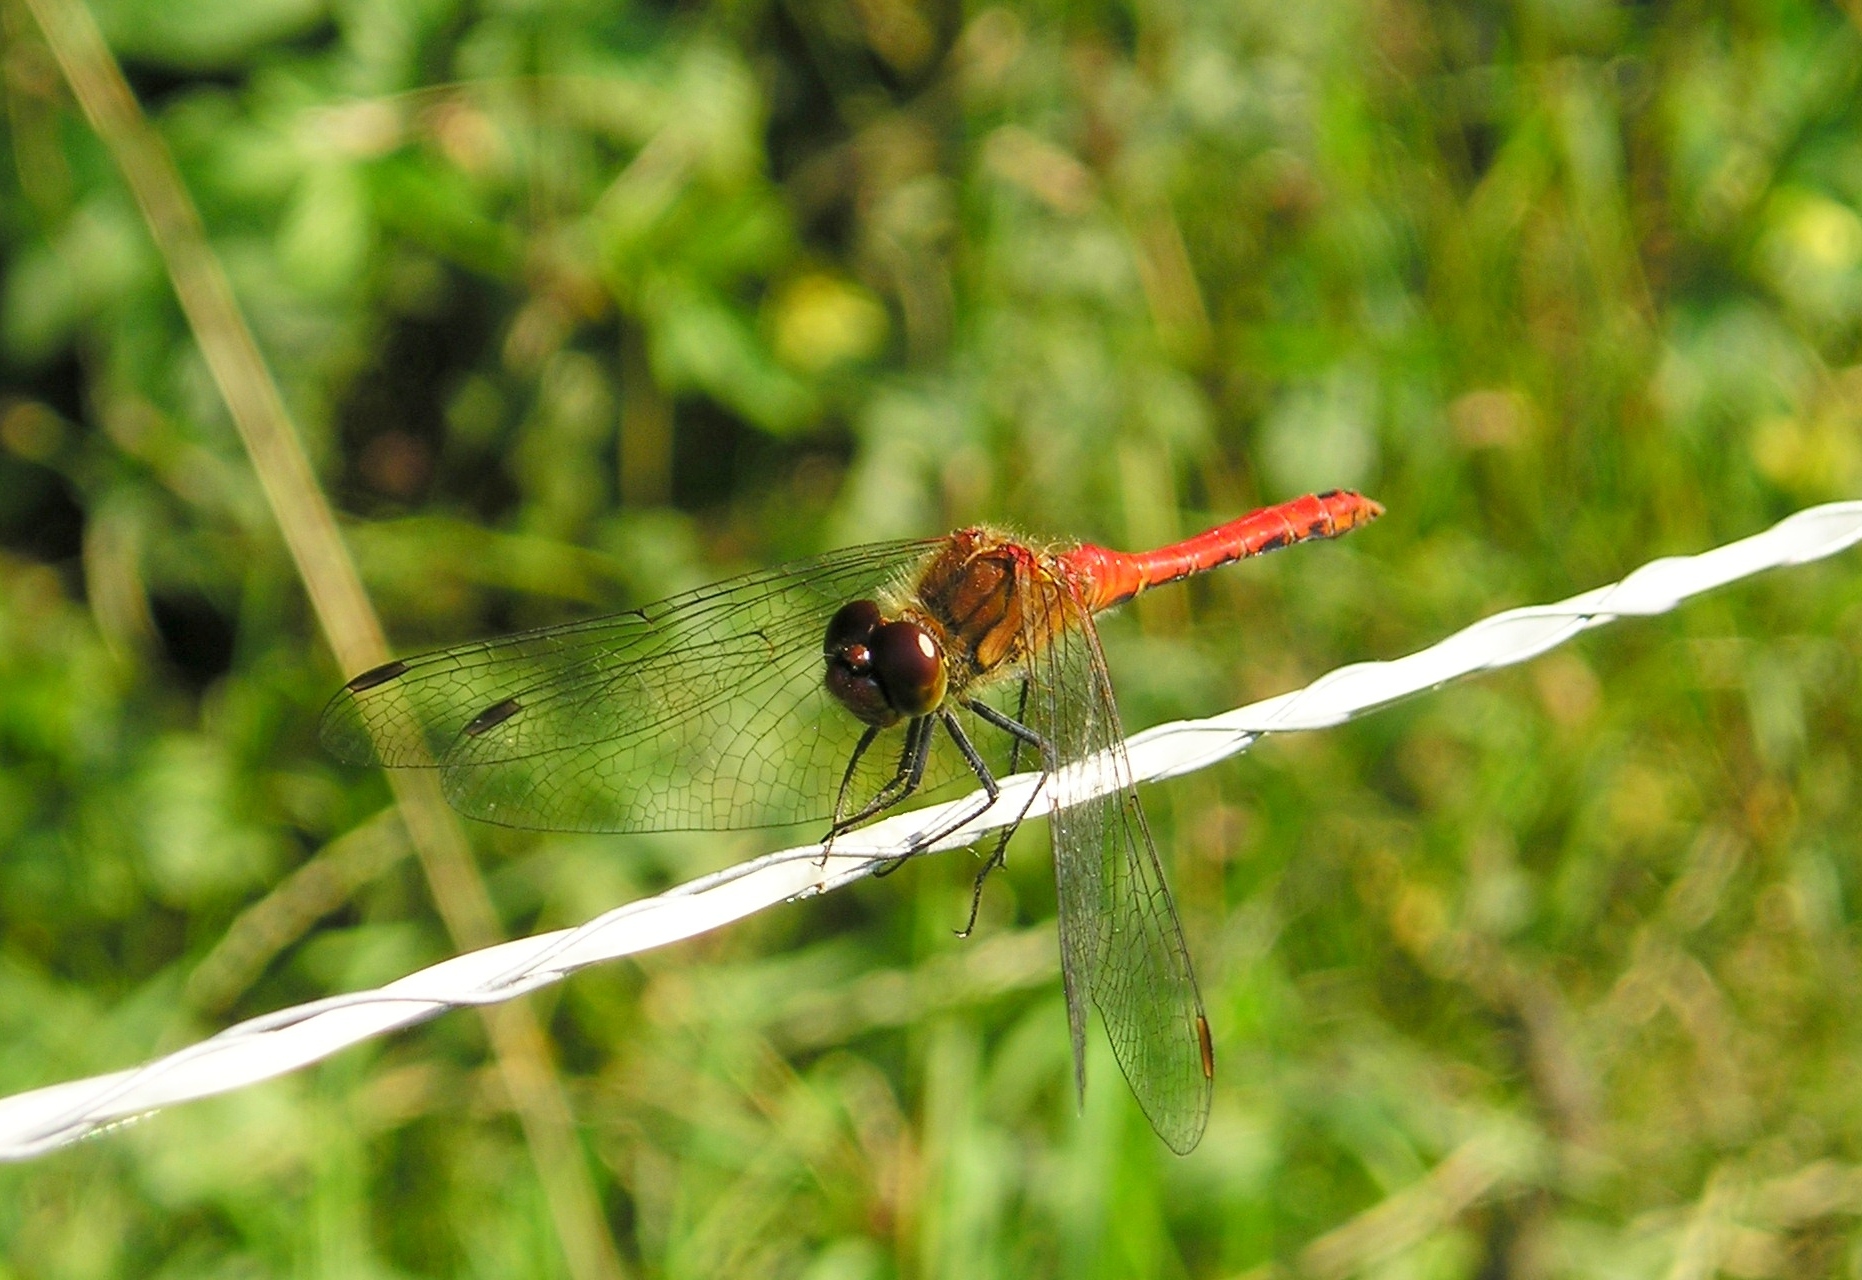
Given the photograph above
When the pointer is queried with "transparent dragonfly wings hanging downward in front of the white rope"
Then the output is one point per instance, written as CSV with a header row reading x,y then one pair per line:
x,y
1122,942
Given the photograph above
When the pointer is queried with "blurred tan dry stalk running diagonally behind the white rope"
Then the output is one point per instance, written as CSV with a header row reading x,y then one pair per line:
x,y
336,593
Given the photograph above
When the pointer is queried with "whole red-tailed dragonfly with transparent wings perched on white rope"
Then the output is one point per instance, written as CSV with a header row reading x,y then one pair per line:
x,y
837,690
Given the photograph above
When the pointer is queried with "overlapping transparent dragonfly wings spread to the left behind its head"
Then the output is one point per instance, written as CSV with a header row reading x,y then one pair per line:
x,y
705,711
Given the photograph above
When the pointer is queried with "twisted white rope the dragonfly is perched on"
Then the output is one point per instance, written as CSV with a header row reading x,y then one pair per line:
x,y
46,1119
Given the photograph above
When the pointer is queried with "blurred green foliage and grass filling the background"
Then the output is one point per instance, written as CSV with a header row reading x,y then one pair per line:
x,y
1554,974
